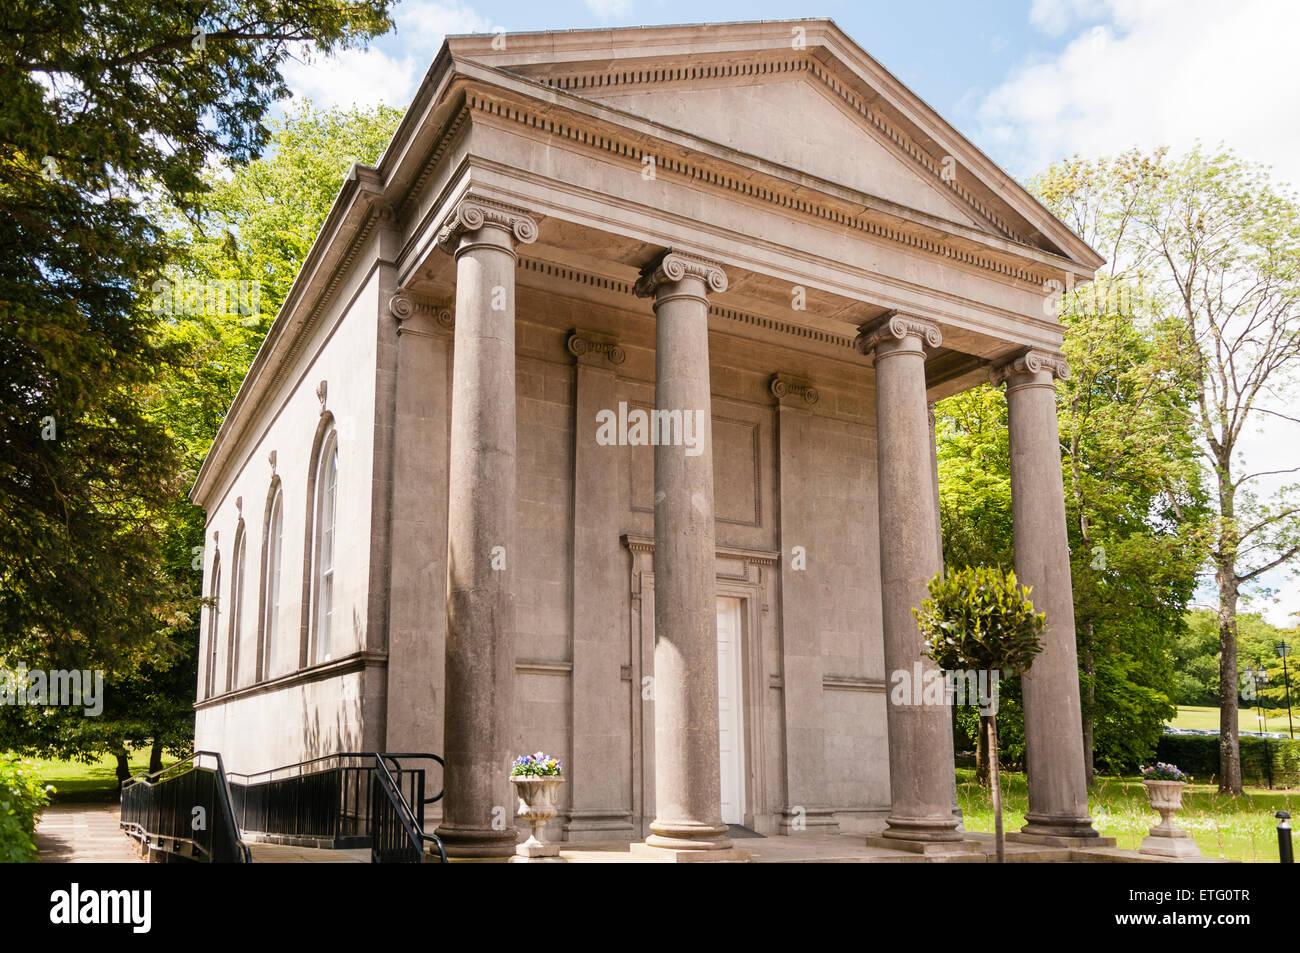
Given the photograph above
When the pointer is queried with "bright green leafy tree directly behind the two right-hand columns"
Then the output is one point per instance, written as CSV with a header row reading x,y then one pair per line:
x,y
1136,504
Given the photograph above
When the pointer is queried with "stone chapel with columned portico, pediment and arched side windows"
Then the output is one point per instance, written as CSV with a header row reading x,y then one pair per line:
x,y
599,421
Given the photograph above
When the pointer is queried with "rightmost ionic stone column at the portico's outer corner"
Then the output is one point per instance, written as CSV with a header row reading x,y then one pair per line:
x,y
1054,734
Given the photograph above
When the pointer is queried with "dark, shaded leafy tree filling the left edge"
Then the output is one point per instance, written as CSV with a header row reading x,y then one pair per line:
x,y
107,110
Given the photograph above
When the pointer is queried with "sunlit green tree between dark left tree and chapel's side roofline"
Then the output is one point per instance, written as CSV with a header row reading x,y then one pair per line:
x,y
257,227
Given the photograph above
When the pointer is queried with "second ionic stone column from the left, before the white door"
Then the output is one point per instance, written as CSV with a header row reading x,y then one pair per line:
x,y
688,787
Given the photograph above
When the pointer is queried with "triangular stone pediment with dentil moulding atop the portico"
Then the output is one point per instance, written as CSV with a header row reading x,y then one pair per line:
x,y
818,106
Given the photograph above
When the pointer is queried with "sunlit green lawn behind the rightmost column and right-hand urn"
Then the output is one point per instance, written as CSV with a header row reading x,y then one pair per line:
x,y
1241,829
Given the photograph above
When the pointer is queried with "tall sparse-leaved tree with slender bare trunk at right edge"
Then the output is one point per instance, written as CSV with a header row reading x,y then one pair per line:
x,y
1215,248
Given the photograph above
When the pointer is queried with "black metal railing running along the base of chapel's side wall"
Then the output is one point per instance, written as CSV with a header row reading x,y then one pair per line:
x,y
330,799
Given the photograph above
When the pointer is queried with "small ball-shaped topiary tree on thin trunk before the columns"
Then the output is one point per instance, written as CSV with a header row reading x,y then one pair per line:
x,y
980,620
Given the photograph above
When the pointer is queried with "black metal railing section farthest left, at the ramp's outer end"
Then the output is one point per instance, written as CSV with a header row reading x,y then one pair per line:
x,y
185,811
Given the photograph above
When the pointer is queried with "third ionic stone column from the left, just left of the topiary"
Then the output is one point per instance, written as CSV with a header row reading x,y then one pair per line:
x,y
921,735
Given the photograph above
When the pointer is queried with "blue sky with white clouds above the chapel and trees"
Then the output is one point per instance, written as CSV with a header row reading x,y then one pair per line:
x,y
1028,81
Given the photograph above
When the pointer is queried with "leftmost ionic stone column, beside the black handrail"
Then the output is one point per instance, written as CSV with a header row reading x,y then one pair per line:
x,y
482,531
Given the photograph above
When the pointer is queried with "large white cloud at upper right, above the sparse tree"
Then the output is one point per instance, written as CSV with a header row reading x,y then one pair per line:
x,y
1154,72
